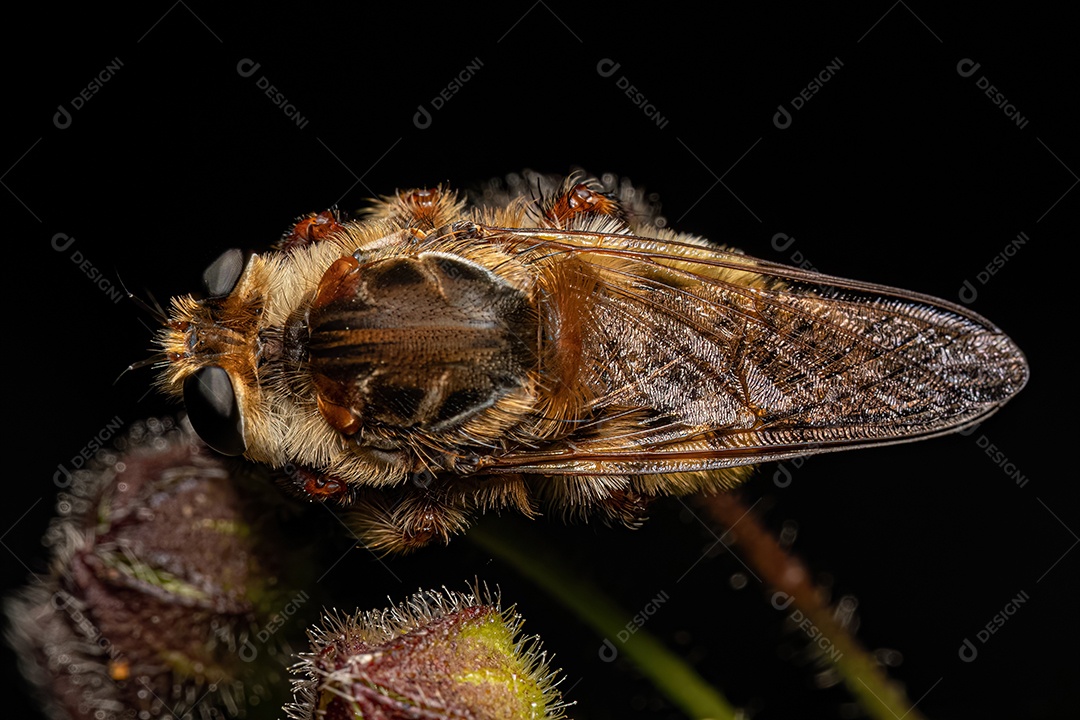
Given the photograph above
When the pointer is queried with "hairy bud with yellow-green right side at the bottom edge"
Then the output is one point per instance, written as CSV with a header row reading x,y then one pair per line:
x,y
437,656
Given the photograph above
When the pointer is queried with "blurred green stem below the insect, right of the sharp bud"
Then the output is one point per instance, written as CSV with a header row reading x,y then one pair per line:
x,y
678,681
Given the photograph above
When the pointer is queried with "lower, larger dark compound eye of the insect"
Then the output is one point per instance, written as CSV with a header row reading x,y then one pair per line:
x,y
214,412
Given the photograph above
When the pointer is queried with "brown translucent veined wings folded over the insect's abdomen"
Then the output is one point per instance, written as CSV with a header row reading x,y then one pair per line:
x,y
699,359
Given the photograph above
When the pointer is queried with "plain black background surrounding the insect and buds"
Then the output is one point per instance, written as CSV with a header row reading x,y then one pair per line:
x,y
899,171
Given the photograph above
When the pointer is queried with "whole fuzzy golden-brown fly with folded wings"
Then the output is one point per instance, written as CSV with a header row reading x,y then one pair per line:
x,y
441,358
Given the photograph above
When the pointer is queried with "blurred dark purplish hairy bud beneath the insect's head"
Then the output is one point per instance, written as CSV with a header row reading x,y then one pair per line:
x,y
168,577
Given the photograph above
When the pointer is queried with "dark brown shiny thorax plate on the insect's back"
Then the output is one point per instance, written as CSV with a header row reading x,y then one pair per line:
x,y
415,344
